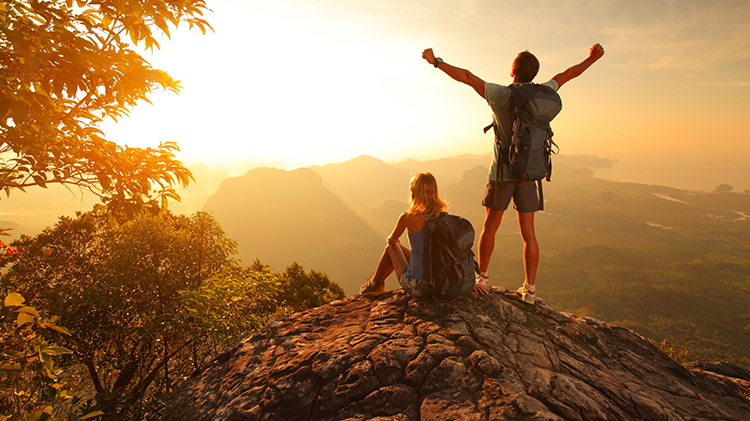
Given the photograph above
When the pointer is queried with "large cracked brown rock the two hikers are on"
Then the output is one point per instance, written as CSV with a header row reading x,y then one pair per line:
x,y
481,358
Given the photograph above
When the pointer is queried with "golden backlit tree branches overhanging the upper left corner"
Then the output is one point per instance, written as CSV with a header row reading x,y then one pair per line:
x,y
63,69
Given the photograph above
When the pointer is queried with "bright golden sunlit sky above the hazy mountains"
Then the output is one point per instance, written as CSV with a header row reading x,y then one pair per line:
x,y
317,81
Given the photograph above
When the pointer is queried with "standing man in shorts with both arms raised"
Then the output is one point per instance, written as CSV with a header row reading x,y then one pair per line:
x,y
525,195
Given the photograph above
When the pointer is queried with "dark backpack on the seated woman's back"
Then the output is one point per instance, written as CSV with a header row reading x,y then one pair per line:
x,y
452,266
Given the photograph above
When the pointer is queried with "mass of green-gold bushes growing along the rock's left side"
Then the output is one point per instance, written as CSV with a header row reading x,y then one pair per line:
x,y
150,299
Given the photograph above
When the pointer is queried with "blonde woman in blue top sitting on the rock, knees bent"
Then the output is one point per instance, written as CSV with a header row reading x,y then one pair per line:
x,y
412,267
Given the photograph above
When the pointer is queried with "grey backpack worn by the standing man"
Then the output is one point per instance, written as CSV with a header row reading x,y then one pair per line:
x,y
528,154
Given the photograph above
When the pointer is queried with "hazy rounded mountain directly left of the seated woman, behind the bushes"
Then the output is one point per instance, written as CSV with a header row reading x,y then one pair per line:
x,y
283,216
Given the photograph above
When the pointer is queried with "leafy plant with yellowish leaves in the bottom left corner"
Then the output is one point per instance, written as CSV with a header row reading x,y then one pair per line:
x,y
30,387
